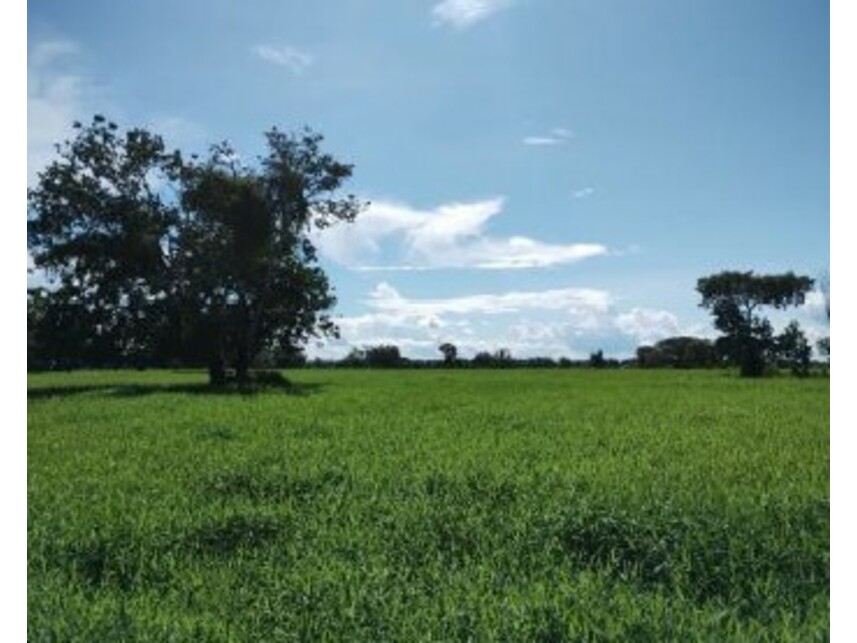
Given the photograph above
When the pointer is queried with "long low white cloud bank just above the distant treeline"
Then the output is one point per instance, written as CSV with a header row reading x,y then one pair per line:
x,y
563,322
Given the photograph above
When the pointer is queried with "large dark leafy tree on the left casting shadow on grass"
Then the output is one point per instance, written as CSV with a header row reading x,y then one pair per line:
x,y
198,260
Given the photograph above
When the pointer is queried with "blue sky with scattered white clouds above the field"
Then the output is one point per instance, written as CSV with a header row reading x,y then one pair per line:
x,y
550,176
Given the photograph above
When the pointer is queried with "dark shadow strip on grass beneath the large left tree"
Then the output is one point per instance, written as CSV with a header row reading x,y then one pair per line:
x,y
284,386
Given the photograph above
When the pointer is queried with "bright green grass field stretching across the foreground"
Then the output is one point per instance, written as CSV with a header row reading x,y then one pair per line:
x,y
429,505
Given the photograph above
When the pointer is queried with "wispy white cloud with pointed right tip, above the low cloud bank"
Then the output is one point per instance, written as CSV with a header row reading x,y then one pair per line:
x,y
450,236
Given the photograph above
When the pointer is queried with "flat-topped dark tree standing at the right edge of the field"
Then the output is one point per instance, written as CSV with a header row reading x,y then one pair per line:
x,y
735,299
